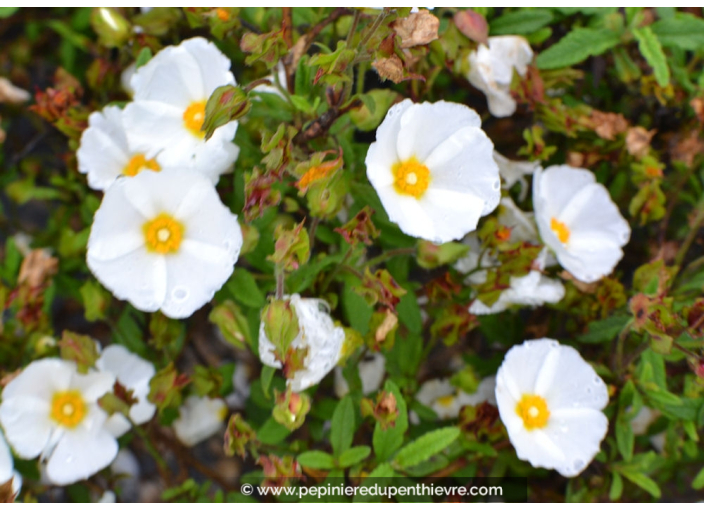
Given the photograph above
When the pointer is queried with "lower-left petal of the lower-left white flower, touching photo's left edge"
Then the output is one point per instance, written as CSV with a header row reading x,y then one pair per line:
x,y
27,424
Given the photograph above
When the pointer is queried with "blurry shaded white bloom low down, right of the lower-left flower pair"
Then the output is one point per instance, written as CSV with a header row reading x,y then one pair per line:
x,y
199,418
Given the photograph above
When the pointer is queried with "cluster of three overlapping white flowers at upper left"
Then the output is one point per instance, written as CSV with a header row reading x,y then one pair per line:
x,y
162,239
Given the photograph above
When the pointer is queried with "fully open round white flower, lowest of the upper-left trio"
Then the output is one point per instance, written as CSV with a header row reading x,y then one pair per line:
x,y
164,241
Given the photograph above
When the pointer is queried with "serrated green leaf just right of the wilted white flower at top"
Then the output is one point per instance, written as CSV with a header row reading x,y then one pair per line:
x,y
577,46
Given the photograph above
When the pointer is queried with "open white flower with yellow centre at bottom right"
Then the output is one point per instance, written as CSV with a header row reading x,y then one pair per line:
x,y
550,401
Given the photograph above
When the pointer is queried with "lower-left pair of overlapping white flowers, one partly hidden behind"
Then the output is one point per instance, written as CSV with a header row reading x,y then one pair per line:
x,y
52,411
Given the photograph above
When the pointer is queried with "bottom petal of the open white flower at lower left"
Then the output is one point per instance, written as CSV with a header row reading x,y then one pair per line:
x,y
80,454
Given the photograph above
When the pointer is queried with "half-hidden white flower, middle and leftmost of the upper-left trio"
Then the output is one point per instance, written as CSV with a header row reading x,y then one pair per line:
x,y
104,153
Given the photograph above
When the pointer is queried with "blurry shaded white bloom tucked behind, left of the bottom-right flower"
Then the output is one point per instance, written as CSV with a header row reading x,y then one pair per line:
x,y
446,400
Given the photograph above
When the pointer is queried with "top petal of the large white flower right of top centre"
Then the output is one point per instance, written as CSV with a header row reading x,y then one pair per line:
x,y
425,126
